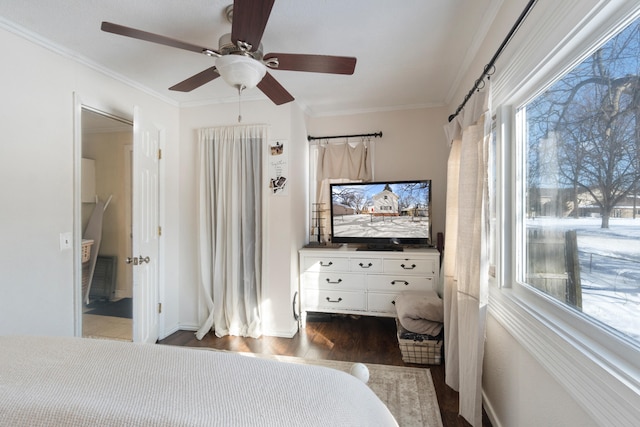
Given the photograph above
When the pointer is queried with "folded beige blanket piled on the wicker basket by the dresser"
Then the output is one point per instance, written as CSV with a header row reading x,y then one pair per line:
x,y
421,312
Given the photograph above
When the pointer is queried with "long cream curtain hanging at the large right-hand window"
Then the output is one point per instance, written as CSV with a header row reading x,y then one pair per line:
x,y
466,257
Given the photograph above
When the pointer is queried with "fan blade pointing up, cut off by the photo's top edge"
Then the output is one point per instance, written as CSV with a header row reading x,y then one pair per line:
x,y
249,21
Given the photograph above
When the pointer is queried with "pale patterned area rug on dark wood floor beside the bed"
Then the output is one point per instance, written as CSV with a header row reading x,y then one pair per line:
x,y
408,392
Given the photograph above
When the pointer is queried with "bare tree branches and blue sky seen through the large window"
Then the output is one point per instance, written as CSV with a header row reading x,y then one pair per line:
x,y
592,113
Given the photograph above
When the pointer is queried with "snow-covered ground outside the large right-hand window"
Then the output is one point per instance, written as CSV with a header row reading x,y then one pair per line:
x,y
609,268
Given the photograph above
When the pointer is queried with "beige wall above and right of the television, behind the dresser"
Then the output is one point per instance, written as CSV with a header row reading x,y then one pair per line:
x,y
412,146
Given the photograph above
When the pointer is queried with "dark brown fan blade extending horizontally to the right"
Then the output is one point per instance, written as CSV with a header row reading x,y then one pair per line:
x,y
314,63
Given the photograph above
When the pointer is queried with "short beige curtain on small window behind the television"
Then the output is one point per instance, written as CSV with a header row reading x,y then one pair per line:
x,y
340,163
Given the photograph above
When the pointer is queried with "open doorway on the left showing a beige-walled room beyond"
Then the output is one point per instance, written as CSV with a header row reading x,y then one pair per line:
x,y
106,216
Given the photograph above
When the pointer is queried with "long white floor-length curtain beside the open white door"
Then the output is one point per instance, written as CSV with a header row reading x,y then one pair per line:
x,y
230,229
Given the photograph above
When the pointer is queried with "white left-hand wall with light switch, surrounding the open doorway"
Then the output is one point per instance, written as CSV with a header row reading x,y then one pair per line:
x,y
37,181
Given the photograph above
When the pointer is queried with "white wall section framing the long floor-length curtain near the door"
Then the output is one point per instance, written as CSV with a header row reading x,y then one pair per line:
x,y
284,229
